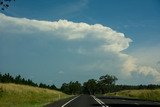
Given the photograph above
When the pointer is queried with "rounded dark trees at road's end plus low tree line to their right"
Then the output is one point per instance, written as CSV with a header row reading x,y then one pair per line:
x,y
105,84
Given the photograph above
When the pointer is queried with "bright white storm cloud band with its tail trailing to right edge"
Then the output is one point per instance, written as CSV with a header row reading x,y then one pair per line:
x,y
110,41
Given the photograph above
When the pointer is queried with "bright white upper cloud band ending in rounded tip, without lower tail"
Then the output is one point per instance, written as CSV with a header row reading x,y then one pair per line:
x,y
113,41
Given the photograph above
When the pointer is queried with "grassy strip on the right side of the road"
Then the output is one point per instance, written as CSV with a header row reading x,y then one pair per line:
x,y
153,95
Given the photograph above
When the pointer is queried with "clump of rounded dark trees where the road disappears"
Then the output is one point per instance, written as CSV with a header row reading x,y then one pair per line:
x,y
92,86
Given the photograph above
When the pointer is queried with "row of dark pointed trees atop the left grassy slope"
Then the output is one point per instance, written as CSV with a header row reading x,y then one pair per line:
x,y
7,78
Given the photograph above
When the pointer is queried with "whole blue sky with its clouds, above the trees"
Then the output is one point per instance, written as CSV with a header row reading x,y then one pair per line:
x,y
57,41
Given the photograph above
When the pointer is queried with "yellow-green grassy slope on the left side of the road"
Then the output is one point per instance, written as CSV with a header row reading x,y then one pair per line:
x,y
12,95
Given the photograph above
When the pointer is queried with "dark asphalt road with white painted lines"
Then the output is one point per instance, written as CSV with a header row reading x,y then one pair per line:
x,y
102,101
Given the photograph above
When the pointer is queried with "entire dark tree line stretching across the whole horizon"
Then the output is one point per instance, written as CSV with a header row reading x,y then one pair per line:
x,y
104,84
